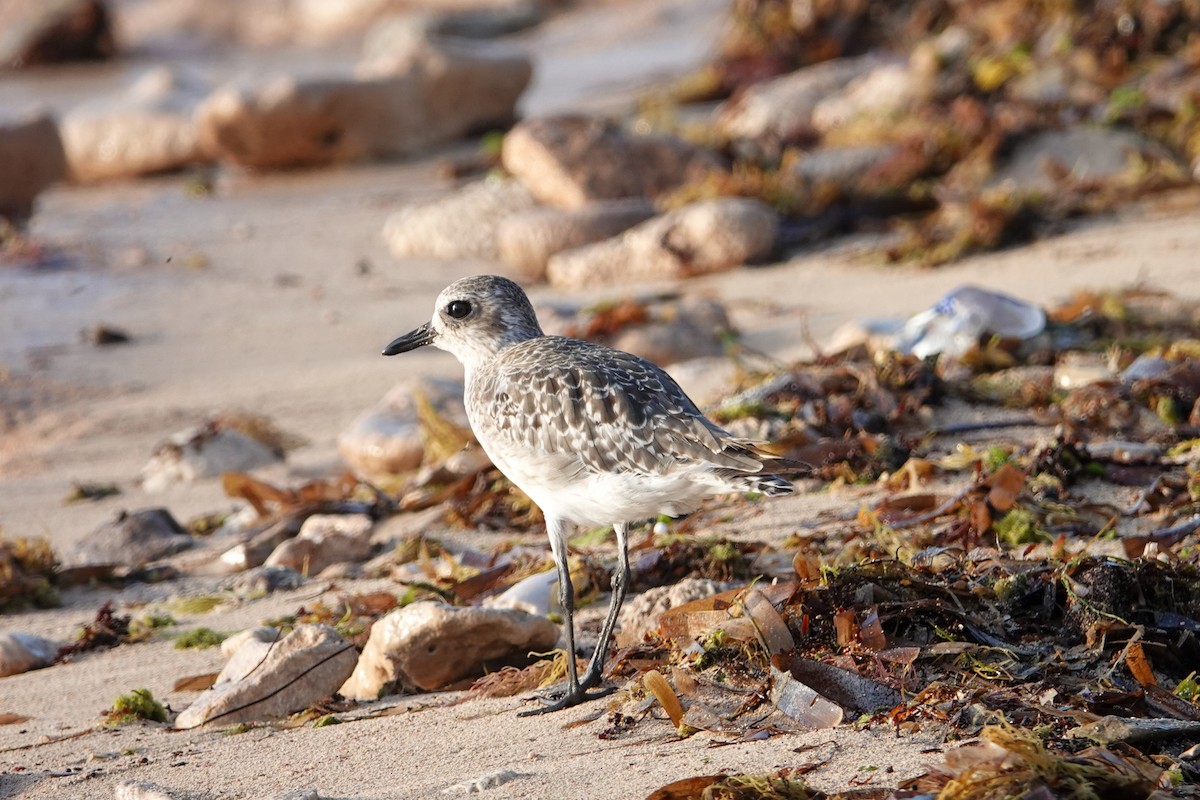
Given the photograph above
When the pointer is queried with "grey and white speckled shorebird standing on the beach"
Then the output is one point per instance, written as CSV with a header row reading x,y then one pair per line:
x,y
592,435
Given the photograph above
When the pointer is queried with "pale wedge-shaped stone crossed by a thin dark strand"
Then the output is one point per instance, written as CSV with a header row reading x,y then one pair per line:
x,y
275,679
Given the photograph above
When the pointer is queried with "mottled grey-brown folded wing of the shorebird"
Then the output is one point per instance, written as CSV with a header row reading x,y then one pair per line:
x,y
615,411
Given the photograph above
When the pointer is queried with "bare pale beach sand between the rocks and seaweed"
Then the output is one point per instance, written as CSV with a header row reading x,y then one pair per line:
x,y
274,297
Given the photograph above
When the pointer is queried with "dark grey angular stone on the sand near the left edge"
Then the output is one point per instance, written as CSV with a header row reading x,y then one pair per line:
x,y
133,540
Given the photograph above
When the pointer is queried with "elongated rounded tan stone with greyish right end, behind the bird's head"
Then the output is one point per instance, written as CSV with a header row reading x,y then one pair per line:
x,y
709,237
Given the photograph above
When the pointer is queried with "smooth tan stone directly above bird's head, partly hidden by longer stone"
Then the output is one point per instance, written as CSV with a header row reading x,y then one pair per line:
x,y
527,240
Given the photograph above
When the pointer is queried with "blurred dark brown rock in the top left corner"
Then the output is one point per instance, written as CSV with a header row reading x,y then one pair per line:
x,y
38,33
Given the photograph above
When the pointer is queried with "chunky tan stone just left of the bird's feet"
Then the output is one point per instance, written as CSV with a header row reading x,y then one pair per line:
x,y
431,645
